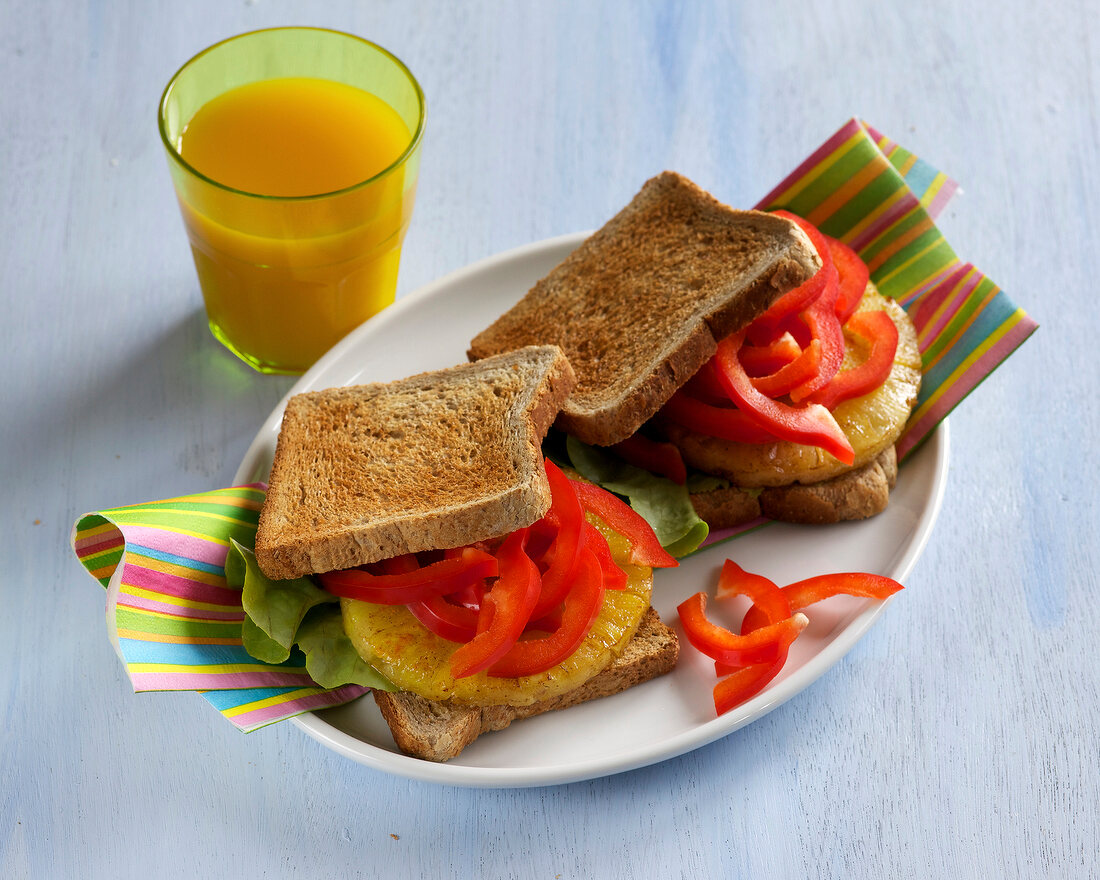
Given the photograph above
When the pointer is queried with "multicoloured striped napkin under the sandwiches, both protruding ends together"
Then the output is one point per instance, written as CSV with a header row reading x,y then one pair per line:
x,y
175,622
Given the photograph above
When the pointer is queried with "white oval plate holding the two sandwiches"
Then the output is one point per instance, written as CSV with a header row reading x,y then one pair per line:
x,y
663,719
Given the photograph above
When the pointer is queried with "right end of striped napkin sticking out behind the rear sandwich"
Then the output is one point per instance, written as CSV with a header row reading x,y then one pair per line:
x,y
873,194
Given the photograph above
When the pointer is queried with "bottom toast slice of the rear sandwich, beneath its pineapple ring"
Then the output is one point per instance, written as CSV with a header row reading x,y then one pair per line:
x,y
855,494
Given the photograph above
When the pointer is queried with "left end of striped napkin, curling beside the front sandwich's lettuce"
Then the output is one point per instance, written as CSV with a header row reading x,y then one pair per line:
x,y
173,620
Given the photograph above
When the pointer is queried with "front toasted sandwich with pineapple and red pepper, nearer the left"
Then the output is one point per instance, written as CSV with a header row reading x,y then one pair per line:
x,y
482,581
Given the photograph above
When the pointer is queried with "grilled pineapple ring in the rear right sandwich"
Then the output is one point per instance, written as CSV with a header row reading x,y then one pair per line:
x,y
873,423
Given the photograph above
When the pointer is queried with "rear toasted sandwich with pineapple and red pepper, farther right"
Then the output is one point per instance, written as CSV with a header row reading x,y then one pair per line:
x,y
742,355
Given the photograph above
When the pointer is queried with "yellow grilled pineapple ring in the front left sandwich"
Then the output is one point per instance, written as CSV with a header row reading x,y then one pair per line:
x,y
392,641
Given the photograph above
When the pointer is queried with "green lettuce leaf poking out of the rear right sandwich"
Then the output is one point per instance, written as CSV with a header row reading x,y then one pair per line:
x,y
664,504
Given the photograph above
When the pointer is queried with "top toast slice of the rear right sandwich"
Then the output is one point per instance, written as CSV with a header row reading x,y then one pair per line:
x,y
642,305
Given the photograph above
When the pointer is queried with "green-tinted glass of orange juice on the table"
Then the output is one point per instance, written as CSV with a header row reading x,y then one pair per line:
x,y
294,153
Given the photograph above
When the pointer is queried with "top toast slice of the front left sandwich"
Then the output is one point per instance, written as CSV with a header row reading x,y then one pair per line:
x,y
434,461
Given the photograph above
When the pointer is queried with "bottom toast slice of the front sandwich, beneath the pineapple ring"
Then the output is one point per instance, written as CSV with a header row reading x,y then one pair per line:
x,y
438,732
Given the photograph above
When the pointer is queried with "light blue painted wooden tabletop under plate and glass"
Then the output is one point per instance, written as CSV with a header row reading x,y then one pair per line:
x,y
958,740
